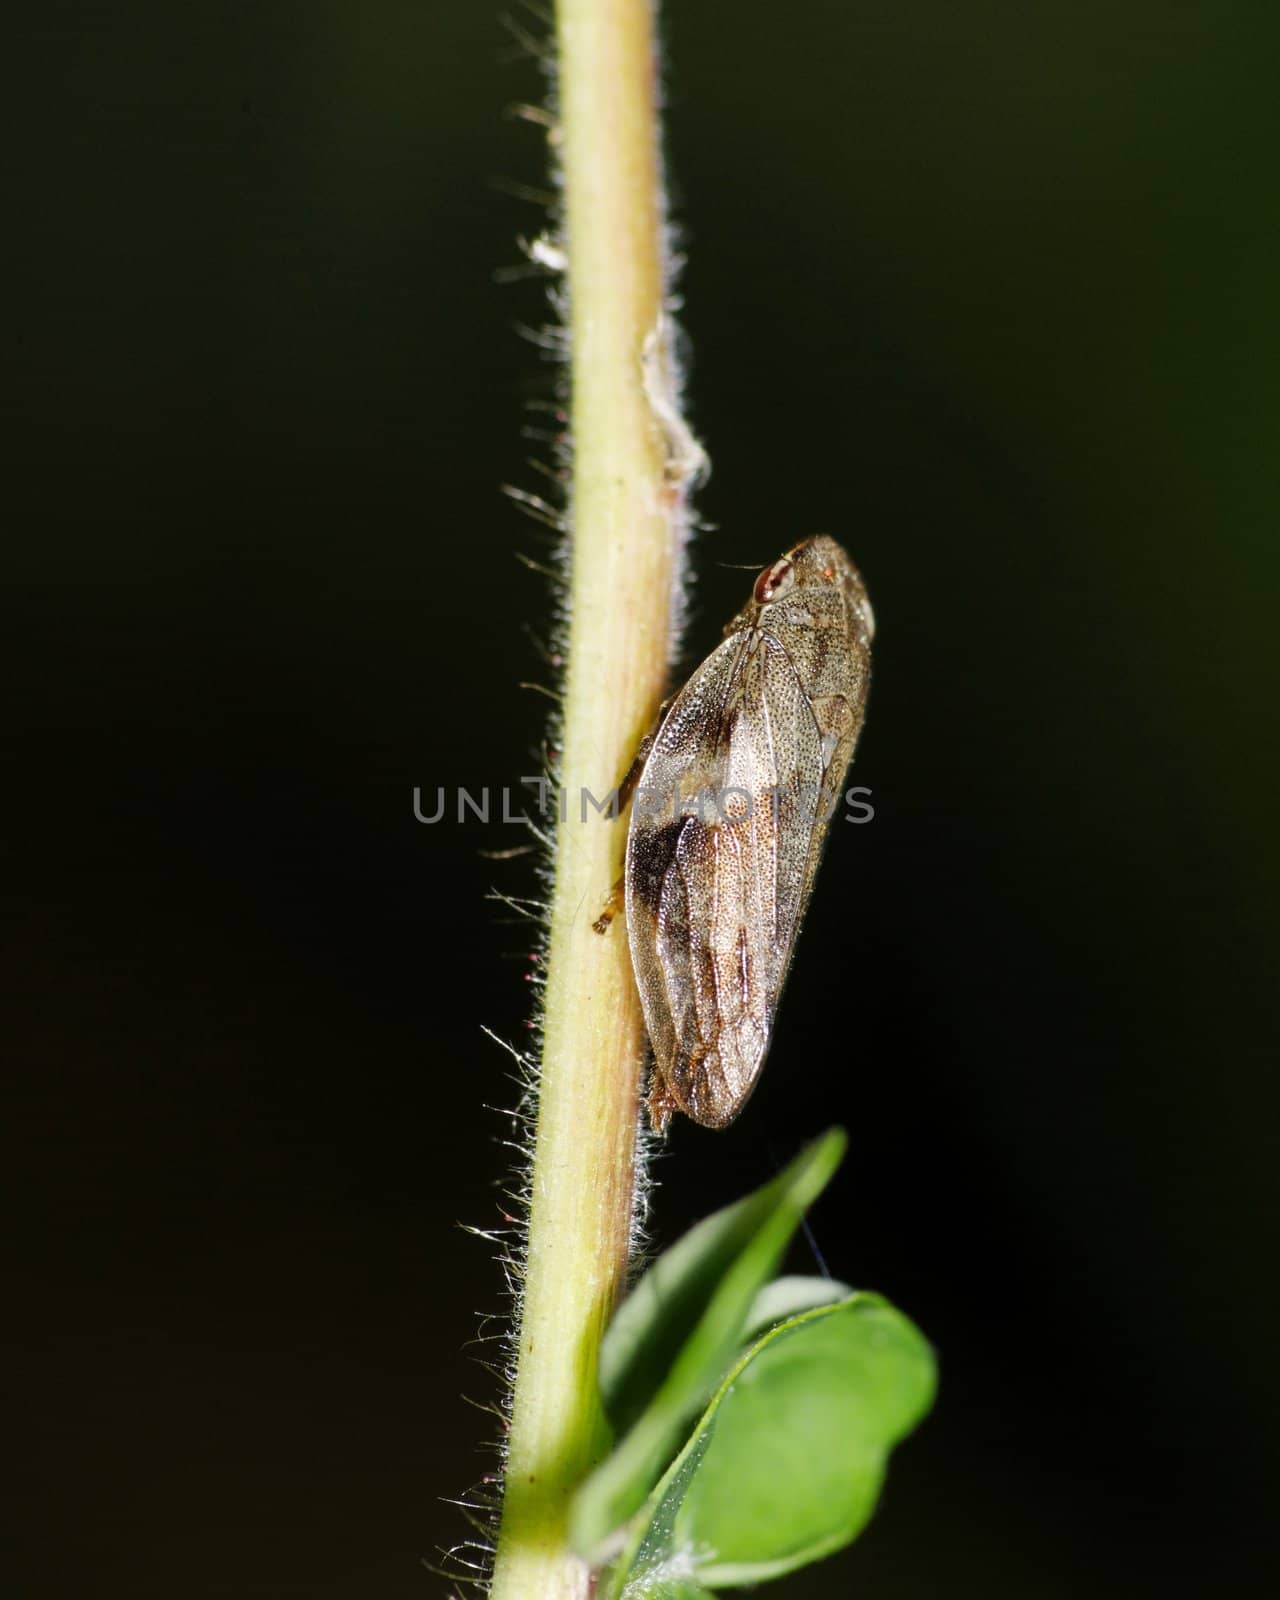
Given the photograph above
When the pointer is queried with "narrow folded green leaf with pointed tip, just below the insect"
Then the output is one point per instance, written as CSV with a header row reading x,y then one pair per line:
x,y
678,1334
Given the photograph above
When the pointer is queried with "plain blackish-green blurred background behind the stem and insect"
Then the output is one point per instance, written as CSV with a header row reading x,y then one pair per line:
x,y
988,290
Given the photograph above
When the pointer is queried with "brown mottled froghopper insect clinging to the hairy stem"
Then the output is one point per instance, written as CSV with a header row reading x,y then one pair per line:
x,y
732,809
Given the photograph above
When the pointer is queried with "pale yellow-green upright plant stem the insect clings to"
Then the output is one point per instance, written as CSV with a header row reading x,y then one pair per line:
x,y
625,551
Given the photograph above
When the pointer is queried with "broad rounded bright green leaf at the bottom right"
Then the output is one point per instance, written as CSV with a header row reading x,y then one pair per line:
x,y
788,1460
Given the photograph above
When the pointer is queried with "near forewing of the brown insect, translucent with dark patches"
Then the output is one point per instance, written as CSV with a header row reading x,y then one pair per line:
x,y
719,871
